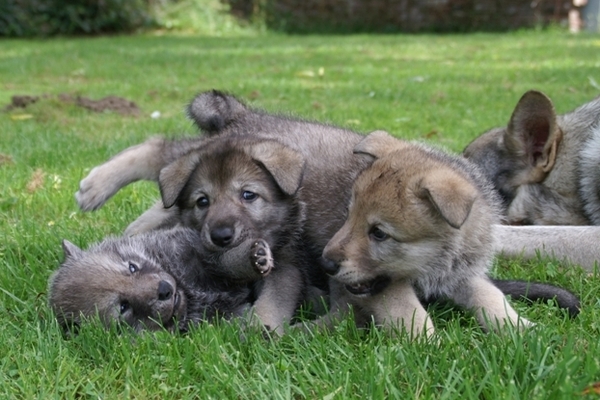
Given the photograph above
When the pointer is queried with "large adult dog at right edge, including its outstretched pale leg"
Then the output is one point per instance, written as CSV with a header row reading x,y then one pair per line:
x,y
563,192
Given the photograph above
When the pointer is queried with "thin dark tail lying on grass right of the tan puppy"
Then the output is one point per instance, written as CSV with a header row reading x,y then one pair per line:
x,y
534,291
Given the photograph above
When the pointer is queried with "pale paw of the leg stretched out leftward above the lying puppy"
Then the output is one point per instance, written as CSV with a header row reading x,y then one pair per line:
x,y
96,188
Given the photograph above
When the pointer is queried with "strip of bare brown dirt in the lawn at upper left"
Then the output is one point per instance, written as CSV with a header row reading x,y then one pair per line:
x,y
110,103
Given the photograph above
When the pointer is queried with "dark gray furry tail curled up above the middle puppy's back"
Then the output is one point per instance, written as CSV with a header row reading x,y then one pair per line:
x,y
213,110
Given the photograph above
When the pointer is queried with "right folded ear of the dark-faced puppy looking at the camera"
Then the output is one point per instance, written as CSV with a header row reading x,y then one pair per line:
x,y
284,164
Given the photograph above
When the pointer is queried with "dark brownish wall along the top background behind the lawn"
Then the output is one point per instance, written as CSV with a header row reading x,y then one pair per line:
x,y
347,16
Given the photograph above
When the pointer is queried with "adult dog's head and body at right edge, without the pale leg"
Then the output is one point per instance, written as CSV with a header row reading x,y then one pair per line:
x,y
545,166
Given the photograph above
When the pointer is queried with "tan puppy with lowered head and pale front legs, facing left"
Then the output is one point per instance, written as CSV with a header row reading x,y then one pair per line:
x,y
419,226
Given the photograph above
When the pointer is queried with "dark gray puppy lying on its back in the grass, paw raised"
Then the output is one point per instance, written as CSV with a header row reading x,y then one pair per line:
x,y
155,280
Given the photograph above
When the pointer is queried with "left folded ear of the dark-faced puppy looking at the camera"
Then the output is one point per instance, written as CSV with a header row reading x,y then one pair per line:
x,y
174,176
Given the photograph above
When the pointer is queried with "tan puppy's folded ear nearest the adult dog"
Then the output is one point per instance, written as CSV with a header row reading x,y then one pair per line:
x,y
450,194
